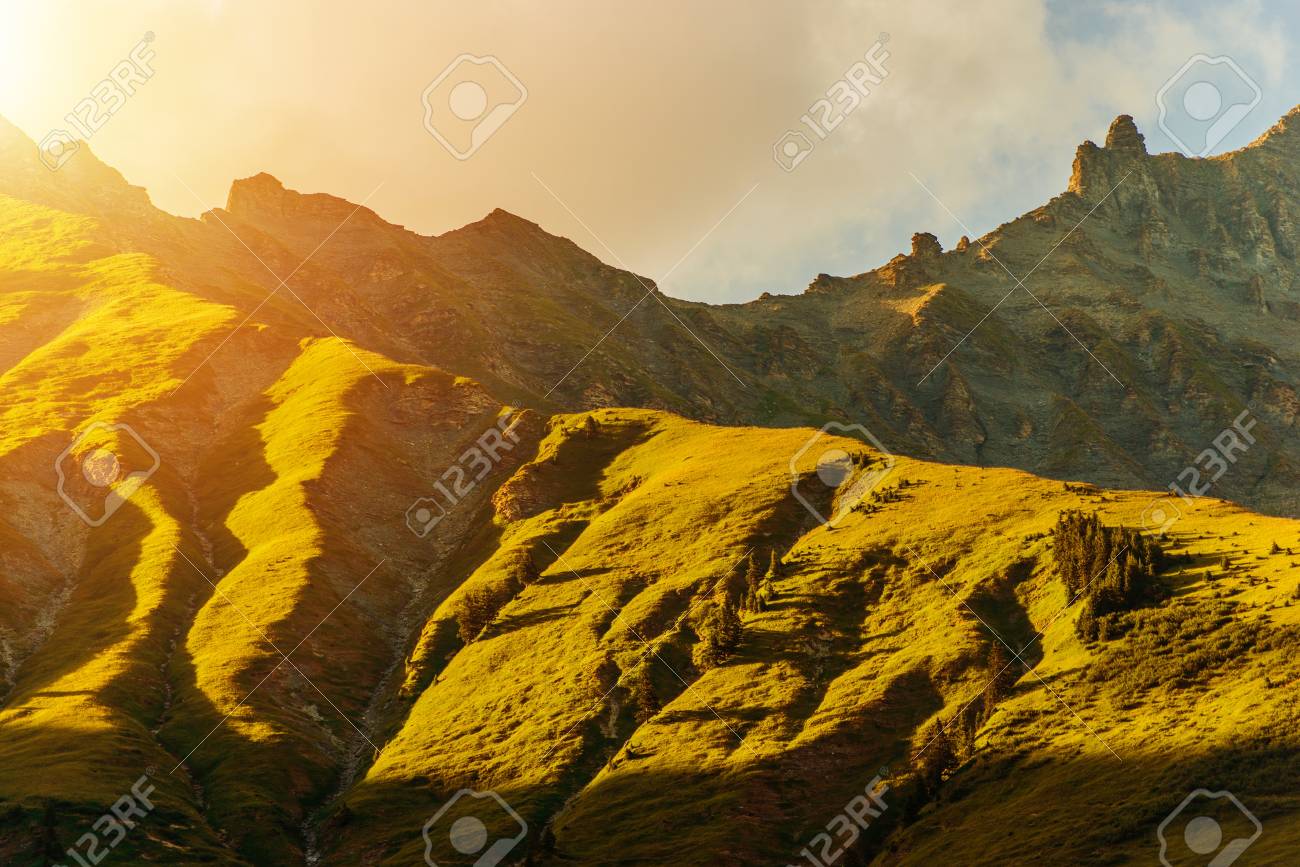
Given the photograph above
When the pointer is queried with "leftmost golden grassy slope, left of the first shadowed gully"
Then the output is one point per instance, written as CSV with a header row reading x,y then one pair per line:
x,y
93,337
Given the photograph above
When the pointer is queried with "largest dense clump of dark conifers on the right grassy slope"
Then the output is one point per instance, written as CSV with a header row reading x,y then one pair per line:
x,y
1112,569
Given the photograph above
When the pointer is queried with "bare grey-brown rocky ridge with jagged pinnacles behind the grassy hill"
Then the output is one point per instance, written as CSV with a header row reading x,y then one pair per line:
x,y
1160,301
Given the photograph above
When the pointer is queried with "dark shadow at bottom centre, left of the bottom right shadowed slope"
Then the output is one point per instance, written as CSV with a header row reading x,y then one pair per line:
x,y
762,809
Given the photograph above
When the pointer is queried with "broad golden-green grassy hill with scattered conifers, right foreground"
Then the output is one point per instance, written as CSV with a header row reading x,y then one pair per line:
x,y
873,635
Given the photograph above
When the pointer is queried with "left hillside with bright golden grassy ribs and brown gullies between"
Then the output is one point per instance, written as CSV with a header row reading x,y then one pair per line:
x,y
288,459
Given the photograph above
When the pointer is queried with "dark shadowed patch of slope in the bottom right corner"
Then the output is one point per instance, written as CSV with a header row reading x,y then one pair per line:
x,y
1065,808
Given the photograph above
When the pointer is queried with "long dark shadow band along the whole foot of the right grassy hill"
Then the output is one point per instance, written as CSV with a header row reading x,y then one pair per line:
x,y
1058,809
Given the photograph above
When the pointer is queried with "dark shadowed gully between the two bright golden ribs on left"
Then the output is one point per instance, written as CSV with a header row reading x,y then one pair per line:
x,y
253,791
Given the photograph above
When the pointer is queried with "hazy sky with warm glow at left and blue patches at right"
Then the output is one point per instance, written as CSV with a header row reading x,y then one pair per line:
x,y
647,133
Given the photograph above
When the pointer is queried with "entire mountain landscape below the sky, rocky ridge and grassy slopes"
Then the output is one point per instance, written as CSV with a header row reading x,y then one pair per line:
x,y
392,528
